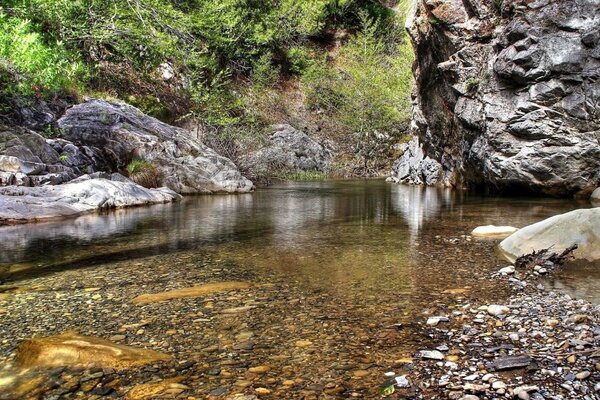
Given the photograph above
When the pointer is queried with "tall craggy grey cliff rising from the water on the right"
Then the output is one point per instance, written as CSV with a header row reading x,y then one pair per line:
x,y
508,95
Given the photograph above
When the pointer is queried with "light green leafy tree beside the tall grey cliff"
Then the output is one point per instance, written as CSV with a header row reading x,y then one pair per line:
x,y
367,88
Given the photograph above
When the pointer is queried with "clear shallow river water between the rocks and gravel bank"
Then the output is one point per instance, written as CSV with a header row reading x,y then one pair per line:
x,y
337,265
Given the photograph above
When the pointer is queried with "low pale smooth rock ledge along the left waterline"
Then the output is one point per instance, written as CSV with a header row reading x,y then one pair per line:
x,y
19,204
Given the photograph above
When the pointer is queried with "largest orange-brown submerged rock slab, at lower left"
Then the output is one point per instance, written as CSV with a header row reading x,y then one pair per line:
x,y
73,350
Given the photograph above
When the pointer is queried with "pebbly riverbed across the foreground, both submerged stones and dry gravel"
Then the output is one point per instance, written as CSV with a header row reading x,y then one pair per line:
x,y
239,334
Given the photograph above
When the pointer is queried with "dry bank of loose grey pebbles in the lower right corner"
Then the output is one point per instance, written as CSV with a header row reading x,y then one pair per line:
x,y
537,344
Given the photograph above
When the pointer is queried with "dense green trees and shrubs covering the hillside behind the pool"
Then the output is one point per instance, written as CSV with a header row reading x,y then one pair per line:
x,y
338,66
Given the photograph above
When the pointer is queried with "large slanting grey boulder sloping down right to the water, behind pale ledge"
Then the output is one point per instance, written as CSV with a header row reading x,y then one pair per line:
x,y
121,133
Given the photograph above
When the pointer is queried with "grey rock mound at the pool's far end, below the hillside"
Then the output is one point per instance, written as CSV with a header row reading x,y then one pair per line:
x,y
289,150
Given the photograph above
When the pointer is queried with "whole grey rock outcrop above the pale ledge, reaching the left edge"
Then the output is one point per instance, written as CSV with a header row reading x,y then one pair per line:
x,y
102,136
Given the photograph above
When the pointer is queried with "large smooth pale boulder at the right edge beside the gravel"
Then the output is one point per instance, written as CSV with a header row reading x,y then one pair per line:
x,y
581,227
